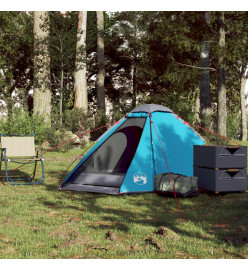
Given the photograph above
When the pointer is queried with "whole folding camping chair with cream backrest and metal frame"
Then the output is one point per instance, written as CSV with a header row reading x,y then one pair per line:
x,y
20,149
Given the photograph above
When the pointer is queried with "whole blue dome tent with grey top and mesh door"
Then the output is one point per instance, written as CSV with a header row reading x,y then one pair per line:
x,y
126,157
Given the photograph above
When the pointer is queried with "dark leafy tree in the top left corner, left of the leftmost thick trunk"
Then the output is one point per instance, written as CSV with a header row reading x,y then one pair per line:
x,y
16,46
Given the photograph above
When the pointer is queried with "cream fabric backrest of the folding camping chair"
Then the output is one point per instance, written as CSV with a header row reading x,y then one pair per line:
x,y
18,146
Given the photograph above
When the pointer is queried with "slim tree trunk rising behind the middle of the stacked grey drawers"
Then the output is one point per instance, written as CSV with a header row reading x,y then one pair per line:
x,y
221,76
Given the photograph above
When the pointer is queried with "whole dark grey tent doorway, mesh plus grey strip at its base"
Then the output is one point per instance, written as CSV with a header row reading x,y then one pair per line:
x,y
107,166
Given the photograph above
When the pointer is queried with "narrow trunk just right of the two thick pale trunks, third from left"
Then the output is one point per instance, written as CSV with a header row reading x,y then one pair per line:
x,y
100,63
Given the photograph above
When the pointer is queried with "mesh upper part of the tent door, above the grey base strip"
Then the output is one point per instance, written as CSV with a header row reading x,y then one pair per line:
x,y
117,152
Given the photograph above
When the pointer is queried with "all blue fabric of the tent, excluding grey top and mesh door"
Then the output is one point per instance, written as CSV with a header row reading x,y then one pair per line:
x,y
177,140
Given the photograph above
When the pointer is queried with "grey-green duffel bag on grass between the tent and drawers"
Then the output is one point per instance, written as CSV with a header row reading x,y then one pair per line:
x,y
184,186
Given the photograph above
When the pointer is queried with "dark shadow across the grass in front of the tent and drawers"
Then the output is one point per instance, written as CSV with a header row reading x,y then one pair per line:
x,y
220,216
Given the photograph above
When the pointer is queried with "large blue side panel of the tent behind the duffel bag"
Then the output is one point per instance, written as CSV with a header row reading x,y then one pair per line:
x,y
177,140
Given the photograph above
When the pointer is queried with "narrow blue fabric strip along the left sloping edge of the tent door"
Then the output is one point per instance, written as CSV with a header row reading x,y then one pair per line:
x,y
94,148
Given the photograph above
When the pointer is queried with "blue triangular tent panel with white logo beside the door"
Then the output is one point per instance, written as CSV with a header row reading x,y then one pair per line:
x,y
140,175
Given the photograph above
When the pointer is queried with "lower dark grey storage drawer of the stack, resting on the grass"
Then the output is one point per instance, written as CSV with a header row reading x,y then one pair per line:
x,y
221,180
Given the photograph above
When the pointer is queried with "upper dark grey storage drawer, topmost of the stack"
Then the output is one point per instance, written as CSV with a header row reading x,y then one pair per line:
x,y
216,156
